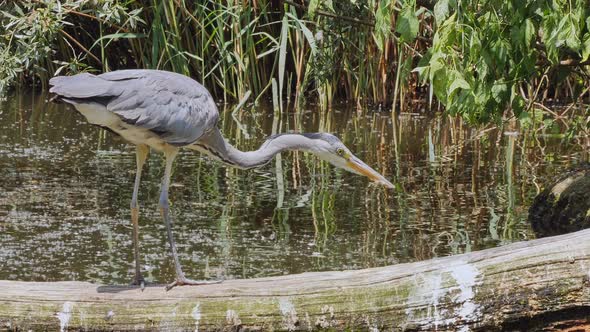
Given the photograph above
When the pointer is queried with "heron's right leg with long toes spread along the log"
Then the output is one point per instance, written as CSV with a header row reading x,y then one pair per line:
x,y
181,280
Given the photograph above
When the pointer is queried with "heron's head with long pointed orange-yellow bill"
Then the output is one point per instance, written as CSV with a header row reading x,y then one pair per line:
x,y
329,148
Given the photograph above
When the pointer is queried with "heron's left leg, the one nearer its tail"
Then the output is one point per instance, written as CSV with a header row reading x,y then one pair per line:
x,y
141,154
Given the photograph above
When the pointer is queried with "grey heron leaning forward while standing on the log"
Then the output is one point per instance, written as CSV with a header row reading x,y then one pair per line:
x,y
166,111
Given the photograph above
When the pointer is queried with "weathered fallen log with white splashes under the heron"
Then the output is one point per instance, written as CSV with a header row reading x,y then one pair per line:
x,y
519,286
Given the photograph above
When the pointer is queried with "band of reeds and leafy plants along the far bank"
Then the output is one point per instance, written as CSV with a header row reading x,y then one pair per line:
x,y
484,60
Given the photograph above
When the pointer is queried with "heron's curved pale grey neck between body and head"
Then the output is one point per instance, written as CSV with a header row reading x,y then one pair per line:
x,y
215,145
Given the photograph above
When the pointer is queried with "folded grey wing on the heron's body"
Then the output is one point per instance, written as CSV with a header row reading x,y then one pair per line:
x,y
174,106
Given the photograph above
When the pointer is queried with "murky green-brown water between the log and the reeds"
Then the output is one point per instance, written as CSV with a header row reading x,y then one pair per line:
x,y
65,190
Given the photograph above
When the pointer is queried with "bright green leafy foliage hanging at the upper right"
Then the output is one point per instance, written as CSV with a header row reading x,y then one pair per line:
x,y
489,55
